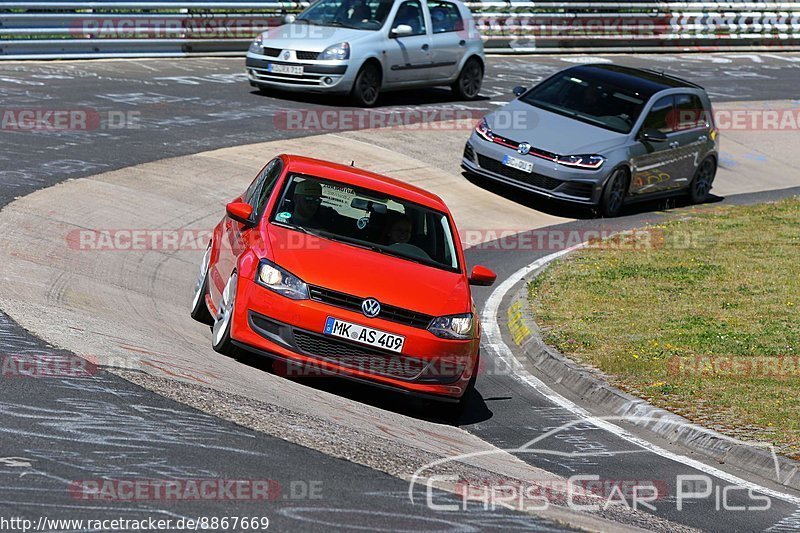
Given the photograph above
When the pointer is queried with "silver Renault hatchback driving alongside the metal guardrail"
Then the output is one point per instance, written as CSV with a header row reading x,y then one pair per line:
x,y
363,47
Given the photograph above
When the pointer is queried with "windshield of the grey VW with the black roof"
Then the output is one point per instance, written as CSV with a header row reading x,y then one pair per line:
x,y
589,100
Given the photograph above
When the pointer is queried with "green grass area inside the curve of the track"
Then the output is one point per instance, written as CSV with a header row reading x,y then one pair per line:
x,y
724,288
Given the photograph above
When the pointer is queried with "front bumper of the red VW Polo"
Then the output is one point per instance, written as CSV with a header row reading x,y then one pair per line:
x,y
291,330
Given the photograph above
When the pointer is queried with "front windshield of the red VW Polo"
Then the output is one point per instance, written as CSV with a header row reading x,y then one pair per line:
x,y
368,219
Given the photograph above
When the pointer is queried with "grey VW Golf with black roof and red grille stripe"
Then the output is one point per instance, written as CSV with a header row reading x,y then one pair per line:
x,y
601,135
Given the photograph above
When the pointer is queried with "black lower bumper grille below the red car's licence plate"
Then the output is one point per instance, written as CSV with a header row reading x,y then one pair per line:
x,y
360,358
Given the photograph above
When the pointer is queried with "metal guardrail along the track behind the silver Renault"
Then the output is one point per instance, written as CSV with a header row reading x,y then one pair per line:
x,y
75,29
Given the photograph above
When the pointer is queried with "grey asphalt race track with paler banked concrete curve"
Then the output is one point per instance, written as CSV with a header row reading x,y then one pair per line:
x,y
178,139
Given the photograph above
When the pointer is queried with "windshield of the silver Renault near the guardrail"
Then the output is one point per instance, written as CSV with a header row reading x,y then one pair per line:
x,y
356,14
